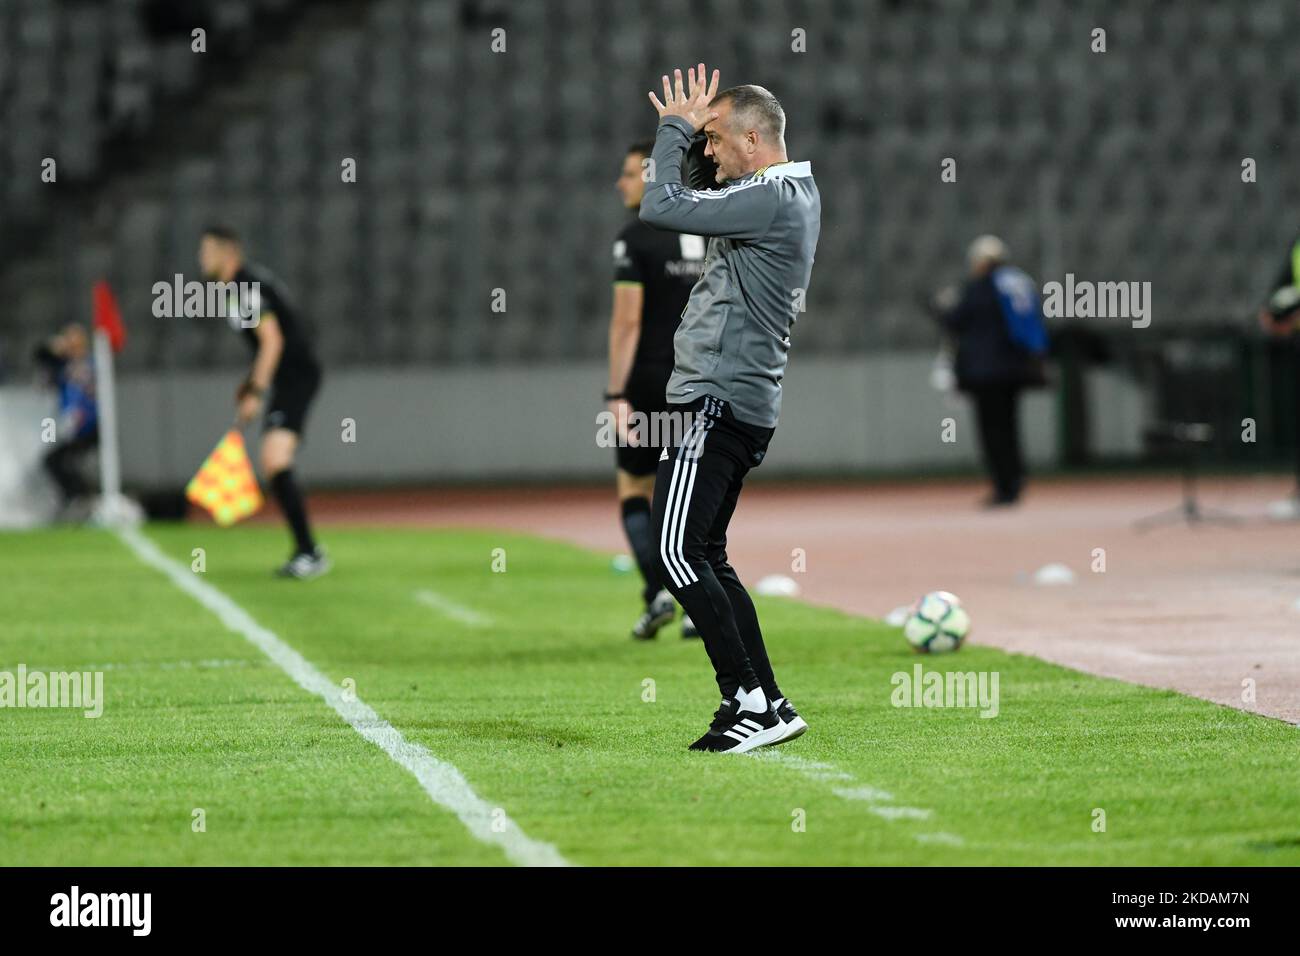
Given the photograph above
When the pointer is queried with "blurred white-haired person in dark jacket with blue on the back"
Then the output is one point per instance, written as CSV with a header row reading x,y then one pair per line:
x,y
993,367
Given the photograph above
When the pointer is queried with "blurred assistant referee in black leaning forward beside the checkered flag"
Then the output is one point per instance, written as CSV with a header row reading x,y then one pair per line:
x,y
285,367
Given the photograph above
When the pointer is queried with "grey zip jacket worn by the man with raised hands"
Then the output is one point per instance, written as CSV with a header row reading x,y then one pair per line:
x,y
735,332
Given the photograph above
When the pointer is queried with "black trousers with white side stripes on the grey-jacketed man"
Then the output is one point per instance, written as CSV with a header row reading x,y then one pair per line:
x,y
695,496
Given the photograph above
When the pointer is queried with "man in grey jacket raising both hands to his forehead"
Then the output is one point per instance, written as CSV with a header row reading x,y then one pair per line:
x,y
730,358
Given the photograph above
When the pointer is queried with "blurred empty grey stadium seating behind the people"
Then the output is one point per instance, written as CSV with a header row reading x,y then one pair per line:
x,y
482,171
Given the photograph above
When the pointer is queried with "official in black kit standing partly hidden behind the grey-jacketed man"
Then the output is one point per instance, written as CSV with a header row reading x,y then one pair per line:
x,y
653,275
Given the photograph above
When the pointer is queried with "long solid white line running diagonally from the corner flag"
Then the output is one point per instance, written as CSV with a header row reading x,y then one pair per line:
x,y
441,781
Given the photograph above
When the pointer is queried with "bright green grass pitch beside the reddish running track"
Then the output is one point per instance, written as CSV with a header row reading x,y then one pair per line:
x,y
544,712
